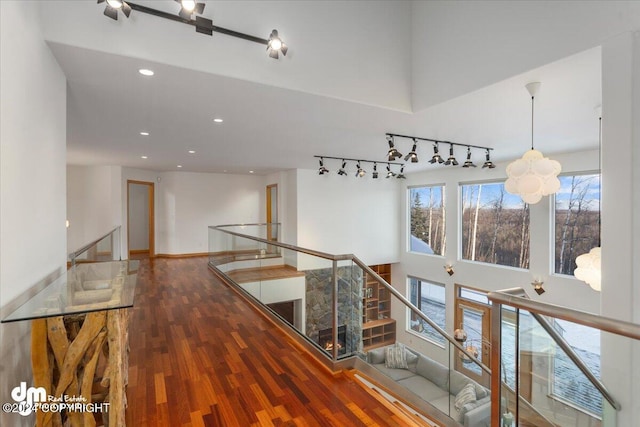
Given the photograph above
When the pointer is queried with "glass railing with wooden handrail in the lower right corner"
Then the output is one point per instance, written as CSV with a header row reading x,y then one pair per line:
x,y
552,358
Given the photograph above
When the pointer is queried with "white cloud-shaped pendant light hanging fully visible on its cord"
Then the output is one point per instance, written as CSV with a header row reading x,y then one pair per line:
x,y
533,175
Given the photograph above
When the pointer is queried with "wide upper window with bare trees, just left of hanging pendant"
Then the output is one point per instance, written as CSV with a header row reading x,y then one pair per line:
x,y
495,226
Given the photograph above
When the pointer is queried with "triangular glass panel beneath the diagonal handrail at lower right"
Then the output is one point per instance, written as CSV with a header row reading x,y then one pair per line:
x,y
550,381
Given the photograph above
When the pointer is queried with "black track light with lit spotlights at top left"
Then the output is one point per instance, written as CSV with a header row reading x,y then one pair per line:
x,y
202,25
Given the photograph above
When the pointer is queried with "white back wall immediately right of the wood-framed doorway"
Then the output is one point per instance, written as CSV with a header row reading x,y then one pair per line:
x,y
188,203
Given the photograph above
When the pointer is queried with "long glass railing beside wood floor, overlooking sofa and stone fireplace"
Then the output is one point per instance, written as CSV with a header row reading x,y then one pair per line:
x,y
344,309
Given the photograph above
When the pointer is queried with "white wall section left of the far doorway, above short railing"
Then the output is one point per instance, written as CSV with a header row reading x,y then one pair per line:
x,y
93,203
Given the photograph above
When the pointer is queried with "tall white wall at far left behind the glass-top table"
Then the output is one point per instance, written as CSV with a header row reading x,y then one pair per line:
x,y
32,180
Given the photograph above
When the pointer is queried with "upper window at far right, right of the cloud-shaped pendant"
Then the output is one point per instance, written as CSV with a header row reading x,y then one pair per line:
x,y
577,219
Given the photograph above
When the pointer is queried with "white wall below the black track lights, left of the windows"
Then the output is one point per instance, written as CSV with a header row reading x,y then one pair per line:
x,y
343,215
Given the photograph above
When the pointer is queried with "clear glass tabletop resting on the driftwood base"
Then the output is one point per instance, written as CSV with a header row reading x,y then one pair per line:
x,y
82,289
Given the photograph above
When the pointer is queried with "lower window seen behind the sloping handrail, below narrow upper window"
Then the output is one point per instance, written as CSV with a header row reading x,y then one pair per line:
x,y
430,299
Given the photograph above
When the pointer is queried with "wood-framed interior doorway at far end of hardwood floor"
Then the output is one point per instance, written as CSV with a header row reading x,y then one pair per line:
x,y
140,219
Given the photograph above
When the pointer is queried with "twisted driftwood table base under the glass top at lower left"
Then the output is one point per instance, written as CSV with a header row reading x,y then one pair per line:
x,y
82,361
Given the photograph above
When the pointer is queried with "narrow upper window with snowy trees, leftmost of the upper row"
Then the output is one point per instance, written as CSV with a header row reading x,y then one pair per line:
x,y
427,224
